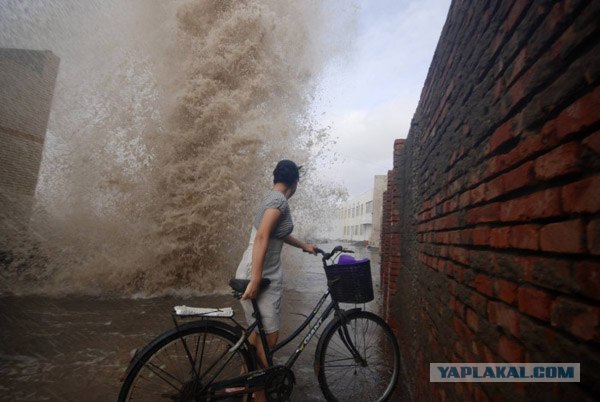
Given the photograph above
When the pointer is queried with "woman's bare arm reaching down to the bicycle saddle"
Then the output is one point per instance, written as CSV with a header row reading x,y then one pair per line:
x,y
261,242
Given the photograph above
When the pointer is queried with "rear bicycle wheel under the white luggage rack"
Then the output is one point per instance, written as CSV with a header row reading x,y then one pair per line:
x,y
162,371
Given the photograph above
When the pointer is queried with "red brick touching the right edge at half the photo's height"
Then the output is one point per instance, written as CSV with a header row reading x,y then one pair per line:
x,y
582,196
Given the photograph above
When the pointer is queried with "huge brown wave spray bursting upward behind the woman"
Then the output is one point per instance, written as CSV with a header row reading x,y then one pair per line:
x,y
166,125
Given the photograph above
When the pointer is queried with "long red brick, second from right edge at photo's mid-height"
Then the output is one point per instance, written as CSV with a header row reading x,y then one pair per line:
x,y
542,204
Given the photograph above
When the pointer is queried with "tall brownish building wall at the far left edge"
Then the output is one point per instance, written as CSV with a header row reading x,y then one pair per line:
x,y
27,79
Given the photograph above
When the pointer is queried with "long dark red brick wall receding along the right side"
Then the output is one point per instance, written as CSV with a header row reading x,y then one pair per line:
x,y
491,237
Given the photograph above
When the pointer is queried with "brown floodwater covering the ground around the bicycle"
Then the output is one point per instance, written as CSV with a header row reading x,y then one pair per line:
x,y
77,348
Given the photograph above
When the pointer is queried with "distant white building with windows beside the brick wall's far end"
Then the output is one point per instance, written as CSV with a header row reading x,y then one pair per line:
x,y
359,218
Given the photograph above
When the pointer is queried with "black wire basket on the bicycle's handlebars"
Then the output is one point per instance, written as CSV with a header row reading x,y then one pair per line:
x,y
350,283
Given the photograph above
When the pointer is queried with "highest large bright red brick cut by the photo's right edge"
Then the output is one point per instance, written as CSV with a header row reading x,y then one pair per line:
x,y
580,114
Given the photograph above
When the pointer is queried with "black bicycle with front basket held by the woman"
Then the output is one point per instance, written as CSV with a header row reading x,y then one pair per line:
x,y
210,358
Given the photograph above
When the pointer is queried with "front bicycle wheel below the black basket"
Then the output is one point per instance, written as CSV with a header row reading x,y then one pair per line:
x,y
341,377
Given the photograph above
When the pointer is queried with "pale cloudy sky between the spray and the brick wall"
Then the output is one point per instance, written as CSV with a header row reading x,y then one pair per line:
x,y
369,98
